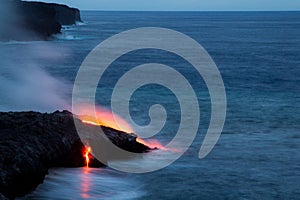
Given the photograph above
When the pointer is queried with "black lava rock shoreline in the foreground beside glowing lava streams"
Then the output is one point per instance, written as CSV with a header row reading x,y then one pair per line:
x,y
33,142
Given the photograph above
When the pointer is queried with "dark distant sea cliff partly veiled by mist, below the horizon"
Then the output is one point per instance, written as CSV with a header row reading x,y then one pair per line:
x,y
23,20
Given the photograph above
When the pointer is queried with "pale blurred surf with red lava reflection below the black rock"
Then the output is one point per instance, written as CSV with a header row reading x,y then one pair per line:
x,y
88,185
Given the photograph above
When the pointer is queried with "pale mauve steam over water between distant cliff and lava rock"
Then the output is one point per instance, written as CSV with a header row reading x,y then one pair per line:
x,y
24,83
